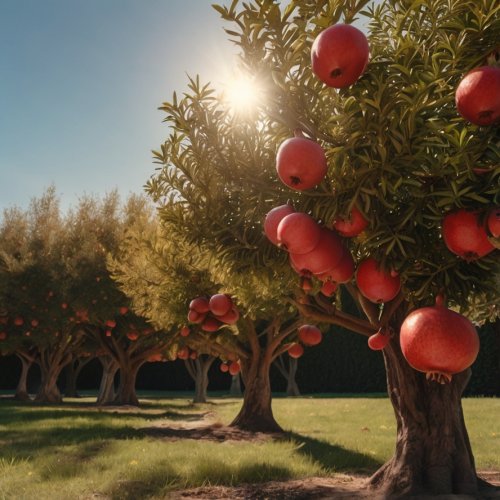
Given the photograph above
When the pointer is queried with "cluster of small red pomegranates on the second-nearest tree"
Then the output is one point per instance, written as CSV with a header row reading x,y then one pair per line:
x,y
212,313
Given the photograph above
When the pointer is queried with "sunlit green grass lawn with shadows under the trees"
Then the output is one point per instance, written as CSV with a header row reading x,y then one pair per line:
x,y
77,451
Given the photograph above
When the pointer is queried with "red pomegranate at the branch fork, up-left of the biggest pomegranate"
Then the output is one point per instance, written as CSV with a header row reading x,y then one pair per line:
x,y
376,284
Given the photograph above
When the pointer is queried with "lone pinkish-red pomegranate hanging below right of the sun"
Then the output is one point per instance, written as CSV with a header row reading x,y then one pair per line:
x,y
301,163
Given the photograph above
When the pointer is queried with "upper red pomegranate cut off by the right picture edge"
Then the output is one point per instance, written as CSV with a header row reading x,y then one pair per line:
x,y
477,96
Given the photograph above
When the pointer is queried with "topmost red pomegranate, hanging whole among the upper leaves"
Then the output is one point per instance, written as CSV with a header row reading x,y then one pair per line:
x,y
339,55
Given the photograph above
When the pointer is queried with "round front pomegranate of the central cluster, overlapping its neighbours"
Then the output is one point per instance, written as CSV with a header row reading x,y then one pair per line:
x,y
298,233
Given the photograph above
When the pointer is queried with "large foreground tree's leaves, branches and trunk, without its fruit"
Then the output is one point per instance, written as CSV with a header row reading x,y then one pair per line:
x,y
396,150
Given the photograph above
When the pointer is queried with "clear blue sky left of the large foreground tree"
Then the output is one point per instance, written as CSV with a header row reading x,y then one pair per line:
x,y
80,84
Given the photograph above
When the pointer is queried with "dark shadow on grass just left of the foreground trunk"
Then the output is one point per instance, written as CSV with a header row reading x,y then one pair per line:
x,y
334,457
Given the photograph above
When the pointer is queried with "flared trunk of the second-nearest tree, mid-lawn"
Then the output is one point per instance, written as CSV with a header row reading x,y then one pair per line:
x,y
256,414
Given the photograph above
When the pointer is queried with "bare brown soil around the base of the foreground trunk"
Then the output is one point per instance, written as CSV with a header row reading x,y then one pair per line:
x,y
339,486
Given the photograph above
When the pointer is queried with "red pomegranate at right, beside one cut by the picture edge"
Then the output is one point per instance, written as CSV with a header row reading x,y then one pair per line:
x,y
465,236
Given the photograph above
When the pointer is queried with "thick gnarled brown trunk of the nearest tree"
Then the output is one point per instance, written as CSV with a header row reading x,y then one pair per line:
x,y
433,454
